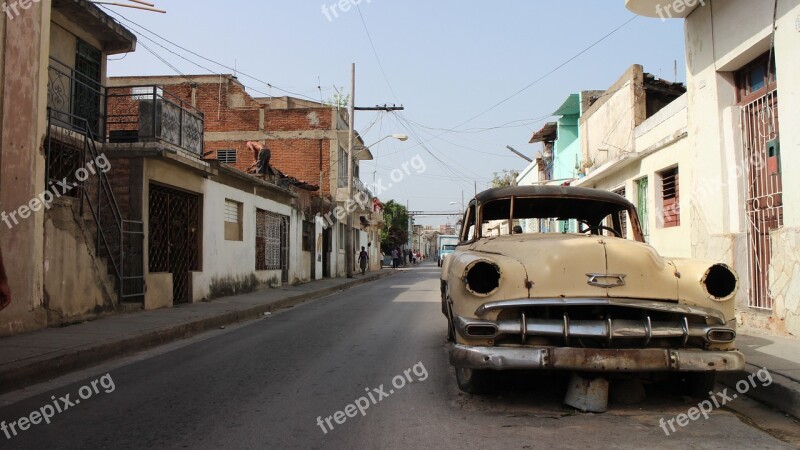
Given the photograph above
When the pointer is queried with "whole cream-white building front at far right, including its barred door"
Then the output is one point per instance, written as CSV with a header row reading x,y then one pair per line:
x,y
742,60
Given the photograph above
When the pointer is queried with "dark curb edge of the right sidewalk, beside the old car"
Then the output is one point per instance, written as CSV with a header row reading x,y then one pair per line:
x,y
783,394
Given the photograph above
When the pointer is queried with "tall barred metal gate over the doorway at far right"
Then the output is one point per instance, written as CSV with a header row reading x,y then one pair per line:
x,y
764,203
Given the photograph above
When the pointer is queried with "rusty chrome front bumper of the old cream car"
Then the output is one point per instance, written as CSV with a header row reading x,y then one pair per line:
x,y
595,360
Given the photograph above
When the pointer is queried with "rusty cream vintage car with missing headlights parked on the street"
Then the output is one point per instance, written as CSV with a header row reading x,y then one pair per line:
x,y
560,278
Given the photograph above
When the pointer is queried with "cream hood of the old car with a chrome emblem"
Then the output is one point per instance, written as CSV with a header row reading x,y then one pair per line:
x,y
573,265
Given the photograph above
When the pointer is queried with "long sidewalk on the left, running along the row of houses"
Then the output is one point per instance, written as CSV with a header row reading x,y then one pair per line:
x,y
33,357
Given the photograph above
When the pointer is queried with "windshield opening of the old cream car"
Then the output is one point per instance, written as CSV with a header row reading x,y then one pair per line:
x,y
554,215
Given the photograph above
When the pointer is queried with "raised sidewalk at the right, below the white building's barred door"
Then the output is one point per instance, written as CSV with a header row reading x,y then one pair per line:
x,y
781,356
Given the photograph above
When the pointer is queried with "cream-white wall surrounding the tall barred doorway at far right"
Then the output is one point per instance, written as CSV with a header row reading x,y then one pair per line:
x,y
720,39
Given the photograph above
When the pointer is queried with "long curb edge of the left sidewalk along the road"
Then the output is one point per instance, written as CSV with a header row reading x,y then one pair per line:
x,y
42,370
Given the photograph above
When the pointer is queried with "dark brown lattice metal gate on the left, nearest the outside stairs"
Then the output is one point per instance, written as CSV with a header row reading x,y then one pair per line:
x,y
174,236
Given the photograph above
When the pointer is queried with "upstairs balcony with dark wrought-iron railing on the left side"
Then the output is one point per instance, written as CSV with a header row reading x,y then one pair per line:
x,y
124,114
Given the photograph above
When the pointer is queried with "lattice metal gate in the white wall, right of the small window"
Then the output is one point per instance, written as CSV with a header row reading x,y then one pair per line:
x,y
272,243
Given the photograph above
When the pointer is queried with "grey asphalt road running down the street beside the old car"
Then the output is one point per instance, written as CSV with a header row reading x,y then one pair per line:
x,y
264,384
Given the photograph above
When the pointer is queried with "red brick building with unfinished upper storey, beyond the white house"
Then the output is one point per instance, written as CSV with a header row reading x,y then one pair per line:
x,y
308,143
